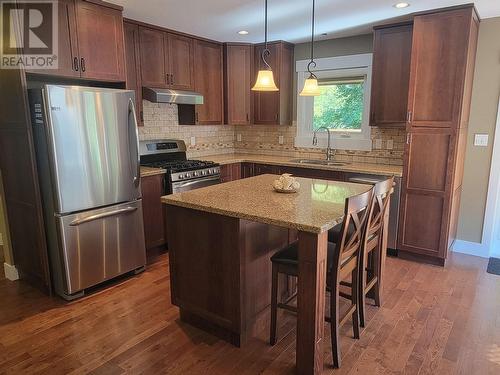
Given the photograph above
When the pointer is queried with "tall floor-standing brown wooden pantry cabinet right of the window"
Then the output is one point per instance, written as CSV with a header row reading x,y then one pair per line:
x,y
442,68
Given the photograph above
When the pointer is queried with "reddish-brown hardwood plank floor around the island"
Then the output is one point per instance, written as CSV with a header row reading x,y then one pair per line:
x,y
433,320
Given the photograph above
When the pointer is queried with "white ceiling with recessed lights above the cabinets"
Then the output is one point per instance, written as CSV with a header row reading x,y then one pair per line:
x,y
288,19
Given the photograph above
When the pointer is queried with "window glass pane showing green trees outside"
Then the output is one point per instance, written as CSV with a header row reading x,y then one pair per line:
x,y
340,105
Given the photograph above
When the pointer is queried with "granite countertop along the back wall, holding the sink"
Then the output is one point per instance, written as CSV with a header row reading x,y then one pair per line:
x,y
378,169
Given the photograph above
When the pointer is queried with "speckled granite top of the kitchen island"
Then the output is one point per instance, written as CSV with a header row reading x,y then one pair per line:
x,y
317,207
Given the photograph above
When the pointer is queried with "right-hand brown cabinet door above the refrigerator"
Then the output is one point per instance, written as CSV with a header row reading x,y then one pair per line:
x,y
100,42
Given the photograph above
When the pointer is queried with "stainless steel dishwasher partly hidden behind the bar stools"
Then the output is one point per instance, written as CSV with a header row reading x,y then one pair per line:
x,y
392,239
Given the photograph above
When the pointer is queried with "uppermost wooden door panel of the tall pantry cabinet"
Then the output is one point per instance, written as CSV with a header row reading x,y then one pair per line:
x,y
439,59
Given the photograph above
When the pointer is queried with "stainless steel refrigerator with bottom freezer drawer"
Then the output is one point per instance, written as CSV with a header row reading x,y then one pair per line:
x,y
88,164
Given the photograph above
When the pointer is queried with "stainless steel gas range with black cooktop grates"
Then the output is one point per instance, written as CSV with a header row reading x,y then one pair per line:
x,y
182,174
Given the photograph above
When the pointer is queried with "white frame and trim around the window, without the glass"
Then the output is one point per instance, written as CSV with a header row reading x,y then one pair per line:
x,y
334,68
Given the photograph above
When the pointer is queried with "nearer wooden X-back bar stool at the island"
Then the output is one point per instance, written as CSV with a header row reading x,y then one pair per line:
x,y
343,260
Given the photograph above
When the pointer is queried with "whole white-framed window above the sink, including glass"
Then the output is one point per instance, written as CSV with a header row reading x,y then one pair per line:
x,y
343,106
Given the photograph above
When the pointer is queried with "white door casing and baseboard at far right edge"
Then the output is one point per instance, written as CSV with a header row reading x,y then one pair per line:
x,y
489,246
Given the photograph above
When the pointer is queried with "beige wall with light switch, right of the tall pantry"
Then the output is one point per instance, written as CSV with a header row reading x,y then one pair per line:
x,y
485,95
